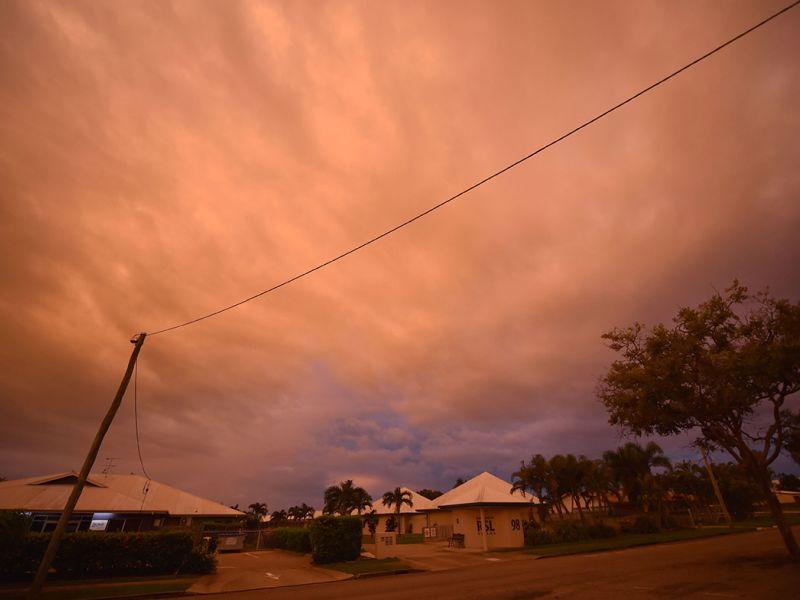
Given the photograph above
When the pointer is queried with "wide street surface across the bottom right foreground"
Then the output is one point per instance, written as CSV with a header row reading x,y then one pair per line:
x,y
748,565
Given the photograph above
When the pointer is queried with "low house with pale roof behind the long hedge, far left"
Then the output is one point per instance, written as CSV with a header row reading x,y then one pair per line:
x,y
109,502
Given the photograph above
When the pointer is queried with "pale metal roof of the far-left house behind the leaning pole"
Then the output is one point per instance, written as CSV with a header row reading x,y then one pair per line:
x,y
107,493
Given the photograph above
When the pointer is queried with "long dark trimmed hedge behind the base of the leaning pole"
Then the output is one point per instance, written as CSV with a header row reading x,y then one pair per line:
x,y
90,554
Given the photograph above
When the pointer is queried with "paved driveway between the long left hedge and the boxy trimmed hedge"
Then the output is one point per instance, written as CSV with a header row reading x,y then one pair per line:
x,y
265,569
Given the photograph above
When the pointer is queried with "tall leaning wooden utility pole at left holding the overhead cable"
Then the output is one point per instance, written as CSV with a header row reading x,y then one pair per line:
x,y
52,547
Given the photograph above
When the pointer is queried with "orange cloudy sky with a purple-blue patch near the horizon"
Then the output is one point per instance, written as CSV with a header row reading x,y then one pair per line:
x,y
160,160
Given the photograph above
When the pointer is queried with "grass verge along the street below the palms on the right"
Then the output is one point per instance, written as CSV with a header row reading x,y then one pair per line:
x,y
631,540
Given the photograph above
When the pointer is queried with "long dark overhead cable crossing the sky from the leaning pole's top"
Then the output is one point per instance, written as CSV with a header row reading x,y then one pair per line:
x,y
485,179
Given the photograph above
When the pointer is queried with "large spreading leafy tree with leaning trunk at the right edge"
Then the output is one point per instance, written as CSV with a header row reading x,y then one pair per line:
x,y
722,368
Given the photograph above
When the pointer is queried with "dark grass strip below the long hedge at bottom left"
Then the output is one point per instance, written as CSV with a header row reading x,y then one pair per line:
x,y
105,588
